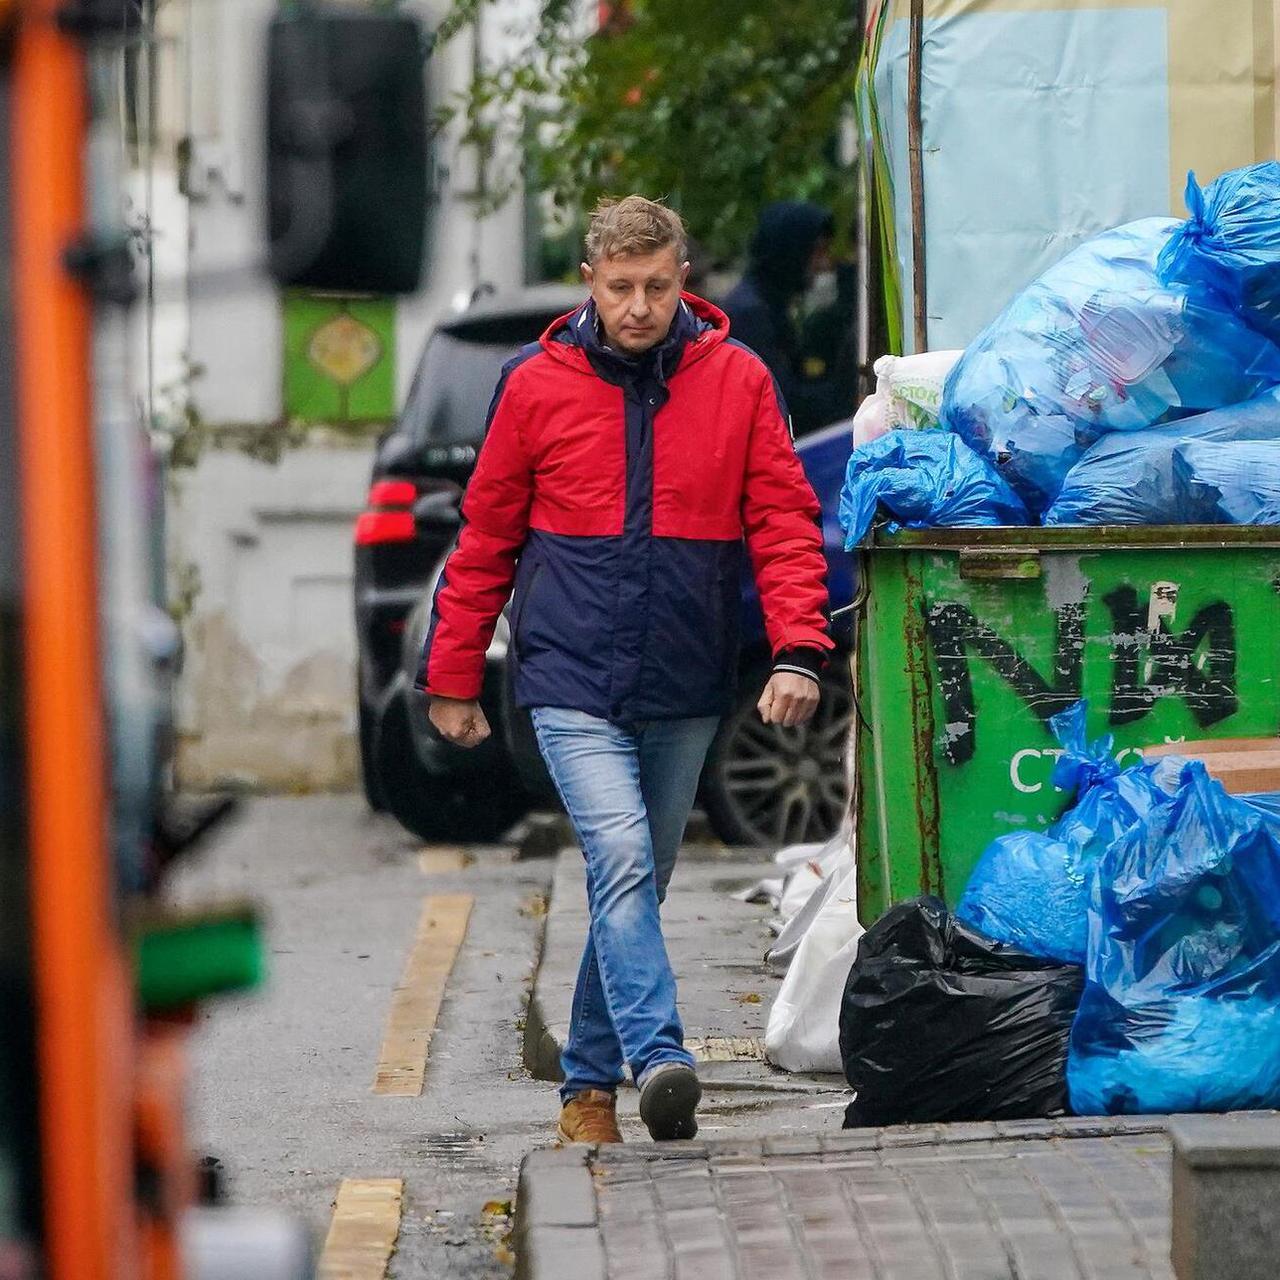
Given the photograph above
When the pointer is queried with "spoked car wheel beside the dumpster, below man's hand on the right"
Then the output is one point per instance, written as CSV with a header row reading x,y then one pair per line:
x,y
770,787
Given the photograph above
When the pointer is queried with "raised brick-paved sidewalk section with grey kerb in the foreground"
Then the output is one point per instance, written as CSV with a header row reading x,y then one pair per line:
x,y
1067,1200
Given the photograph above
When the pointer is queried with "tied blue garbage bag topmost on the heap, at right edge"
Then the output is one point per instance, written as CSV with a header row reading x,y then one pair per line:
x,y
1232,244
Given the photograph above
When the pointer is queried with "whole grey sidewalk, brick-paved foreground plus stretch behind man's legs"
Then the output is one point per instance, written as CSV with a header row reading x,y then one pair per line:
x,y
1068,1200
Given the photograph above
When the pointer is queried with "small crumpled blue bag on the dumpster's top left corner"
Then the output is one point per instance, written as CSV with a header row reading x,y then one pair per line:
x,y
924,479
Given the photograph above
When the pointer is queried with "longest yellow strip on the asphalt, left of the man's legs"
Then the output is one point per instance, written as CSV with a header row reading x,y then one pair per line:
x,y
417,1003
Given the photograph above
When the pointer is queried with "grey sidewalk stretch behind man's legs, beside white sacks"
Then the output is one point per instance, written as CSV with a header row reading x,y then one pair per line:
x,y
717,949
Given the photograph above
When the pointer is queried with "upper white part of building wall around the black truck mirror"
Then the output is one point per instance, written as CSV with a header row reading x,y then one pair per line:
x,y
236,331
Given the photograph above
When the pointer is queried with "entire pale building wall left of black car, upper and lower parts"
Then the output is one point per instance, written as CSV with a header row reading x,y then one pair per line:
x,y
260,552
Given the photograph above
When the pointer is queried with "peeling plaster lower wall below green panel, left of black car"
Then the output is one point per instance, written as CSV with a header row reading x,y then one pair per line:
x,y
267,696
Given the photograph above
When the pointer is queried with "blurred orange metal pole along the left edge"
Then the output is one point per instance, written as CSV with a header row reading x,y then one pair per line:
x,y
85,1025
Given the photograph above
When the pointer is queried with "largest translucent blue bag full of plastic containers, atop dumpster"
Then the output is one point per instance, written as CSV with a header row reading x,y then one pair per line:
x,y
1100,345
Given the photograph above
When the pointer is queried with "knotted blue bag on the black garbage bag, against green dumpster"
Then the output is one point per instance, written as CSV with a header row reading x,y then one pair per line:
x,y
1031,889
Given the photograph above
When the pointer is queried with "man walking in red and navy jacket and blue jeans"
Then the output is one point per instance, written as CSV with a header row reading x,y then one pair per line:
x,y
629,456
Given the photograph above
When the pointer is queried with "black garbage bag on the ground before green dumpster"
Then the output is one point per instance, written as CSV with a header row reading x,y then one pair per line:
x,y
940,1023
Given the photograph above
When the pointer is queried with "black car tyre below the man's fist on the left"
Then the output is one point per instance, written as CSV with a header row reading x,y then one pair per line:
x,y
433,808
